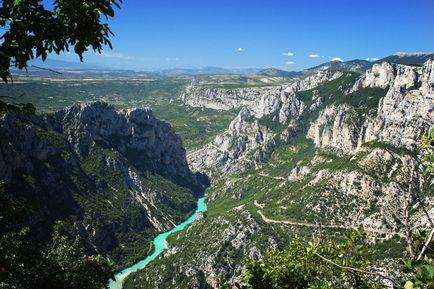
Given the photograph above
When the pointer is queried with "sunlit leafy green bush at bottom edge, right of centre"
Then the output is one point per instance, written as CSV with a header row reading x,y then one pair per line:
x,y
320,264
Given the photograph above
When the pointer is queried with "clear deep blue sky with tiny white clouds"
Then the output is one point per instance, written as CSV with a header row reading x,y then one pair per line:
x,y
270,33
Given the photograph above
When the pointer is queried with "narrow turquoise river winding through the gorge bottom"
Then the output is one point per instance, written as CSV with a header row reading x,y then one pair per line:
x,y
160,245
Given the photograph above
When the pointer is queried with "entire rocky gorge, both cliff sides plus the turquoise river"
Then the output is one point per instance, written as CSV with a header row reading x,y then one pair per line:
x,y
316,153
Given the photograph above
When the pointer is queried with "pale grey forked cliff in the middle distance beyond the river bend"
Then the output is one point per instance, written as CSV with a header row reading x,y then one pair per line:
x,y
246,141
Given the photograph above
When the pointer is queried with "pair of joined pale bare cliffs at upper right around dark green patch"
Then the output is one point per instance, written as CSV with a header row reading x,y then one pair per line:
x,y
403,115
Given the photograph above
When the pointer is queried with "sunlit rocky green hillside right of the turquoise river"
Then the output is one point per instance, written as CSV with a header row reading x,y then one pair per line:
x,y
330,152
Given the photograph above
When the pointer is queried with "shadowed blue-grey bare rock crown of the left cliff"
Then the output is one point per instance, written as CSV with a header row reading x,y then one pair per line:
x,y
153,142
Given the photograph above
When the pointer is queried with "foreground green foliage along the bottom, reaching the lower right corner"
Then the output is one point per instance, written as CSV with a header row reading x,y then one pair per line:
x,y
325,264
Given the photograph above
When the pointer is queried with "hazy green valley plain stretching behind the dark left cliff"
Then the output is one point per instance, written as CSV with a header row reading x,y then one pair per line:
x,y
196,126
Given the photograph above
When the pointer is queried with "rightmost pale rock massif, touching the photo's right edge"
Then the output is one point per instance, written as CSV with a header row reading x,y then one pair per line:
x,y
407,110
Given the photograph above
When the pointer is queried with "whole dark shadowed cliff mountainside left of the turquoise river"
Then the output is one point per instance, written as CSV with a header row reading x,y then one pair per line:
x,y
118,174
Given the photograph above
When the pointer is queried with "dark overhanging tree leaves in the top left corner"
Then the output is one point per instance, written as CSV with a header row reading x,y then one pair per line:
x,y
31,30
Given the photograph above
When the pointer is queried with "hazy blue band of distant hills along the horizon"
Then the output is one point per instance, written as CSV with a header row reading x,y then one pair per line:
x,y
68,69
